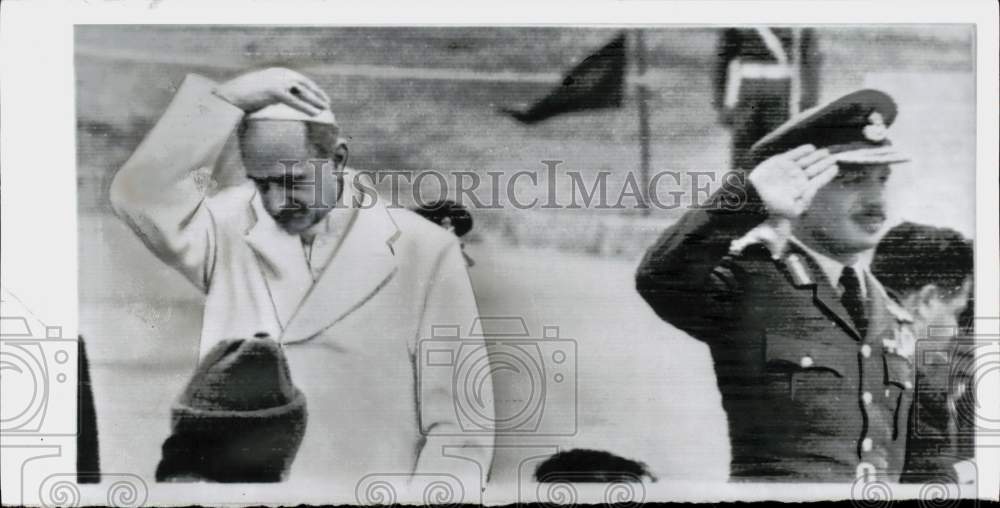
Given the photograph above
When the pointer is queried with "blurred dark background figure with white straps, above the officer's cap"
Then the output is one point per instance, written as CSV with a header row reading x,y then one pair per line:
x,y
763,76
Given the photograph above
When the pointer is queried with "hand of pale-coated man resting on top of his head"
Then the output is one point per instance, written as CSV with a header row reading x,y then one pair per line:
x,y
259,89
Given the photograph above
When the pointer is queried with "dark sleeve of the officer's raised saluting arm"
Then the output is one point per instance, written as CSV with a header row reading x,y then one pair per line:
x,y
685,276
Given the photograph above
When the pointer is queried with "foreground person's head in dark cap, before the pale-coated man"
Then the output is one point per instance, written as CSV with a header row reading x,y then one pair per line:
x,y
240,419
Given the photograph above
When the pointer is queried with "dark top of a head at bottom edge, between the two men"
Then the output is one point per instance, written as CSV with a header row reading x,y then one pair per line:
x,y
590,466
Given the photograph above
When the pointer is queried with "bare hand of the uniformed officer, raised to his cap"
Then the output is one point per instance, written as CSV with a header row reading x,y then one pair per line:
x,y
787,182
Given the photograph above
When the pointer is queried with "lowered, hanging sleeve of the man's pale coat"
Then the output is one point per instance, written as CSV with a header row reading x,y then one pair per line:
x,y
448,447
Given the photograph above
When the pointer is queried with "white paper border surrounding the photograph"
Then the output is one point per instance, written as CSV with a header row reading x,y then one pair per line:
x,y
38,160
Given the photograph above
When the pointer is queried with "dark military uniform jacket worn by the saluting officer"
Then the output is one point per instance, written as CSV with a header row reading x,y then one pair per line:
x,y
792,369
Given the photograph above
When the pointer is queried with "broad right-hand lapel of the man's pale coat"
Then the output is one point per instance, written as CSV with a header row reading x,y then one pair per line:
x,y
361,265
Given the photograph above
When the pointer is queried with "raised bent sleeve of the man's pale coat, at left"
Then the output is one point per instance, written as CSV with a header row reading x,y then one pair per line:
x,y
155,193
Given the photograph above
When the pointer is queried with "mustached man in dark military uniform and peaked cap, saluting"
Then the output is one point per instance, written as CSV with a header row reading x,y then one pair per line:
x,y
773,282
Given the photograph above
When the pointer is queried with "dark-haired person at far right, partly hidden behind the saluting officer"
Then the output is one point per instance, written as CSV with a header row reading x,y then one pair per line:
x,y
928,270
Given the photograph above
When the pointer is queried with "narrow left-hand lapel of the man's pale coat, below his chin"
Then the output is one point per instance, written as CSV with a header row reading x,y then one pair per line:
x,y
281,260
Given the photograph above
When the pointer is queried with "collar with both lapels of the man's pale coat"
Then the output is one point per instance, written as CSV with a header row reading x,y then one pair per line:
x,y
363,262
